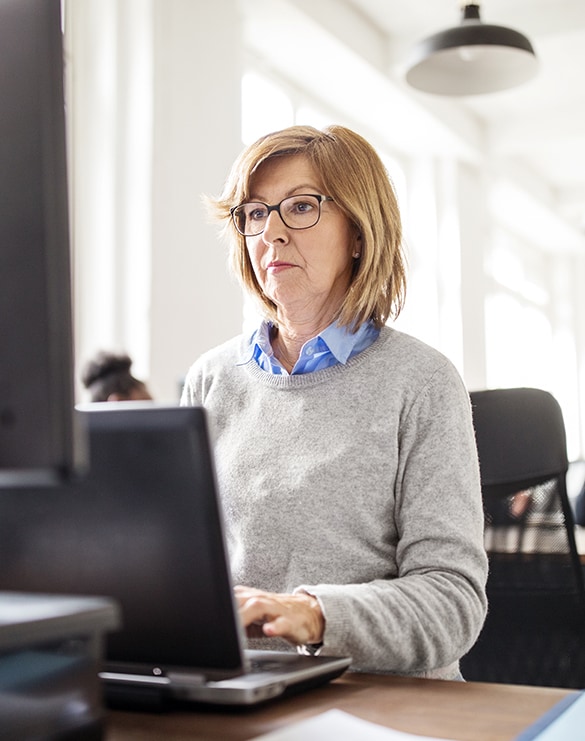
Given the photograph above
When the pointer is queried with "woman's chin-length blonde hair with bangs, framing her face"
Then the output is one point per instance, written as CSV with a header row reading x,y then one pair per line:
x,y
352,173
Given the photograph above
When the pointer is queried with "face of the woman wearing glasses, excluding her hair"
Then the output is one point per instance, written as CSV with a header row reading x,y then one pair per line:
x,y
307,272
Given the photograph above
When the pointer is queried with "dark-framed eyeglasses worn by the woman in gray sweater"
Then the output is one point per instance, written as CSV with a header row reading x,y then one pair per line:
x,y
297,212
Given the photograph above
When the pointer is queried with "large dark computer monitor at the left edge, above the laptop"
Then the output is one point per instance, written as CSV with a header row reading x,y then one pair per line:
x,y
38,439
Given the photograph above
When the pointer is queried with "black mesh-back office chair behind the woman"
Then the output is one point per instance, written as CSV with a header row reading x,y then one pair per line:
x,y
535,629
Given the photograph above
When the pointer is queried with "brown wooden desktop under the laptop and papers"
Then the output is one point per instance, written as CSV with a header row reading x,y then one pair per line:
x,y
469,711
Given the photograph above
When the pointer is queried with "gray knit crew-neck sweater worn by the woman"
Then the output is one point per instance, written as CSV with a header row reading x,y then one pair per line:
x,y
359,484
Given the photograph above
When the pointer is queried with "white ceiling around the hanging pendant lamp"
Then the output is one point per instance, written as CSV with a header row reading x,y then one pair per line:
x,y
540,124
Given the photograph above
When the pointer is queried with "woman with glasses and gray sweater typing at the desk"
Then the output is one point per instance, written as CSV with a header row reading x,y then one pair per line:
x,y
345,451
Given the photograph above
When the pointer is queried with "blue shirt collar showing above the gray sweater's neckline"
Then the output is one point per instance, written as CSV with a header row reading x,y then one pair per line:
x,y
333,345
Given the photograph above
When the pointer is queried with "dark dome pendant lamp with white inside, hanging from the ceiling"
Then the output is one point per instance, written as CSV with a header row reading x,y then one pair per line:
x,y
471,58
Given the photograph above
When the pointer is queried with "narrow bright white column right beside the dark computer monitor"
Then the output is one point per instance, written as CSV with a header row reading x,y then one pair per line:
x,y
91,76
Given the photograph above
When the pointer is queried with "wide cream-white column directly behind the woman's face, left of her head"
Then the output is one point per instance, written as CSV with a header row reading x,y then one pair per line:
x,y
195,303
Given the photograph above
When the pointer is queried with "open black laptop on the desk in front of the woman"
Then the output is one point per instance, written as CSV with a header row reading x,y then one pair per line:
x,y
144,526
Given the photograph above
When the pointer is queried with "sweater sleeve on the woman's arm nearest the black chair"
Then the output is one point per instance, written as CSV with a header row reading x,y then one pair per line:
x,y
430,614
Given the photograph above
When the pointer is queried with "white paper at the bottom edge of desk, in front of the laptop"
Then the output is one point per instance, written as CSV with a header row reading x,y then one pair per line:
x,y
336,725
